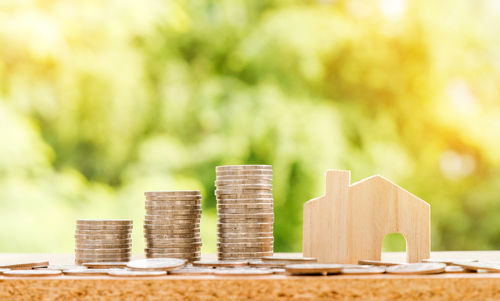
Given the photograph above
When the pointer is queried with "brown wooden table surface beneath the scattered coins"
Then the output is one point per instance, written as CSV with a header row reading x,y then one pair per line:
x,y
469,286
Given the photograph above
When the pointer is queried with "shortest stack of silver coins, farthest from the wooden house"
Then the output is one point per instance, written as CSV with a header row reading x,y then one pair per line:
x,y
103,240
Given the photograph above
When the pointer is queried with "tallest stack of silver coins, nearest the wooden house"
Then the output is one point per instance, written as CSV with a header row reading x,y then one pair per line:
x,y
244,211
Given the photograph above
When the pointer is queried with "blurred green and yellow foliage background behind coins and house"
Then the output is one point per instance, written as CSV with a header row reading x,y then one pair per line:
x,y
101,100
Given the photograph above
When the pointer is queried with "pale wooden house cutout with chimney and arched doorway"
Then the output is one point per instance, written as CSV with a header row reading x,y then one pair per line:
x,y
350,221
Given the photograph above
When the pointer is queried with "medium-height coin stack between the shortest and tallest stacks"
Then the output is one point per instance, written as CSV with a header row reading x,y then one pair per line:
x,y
172,224
